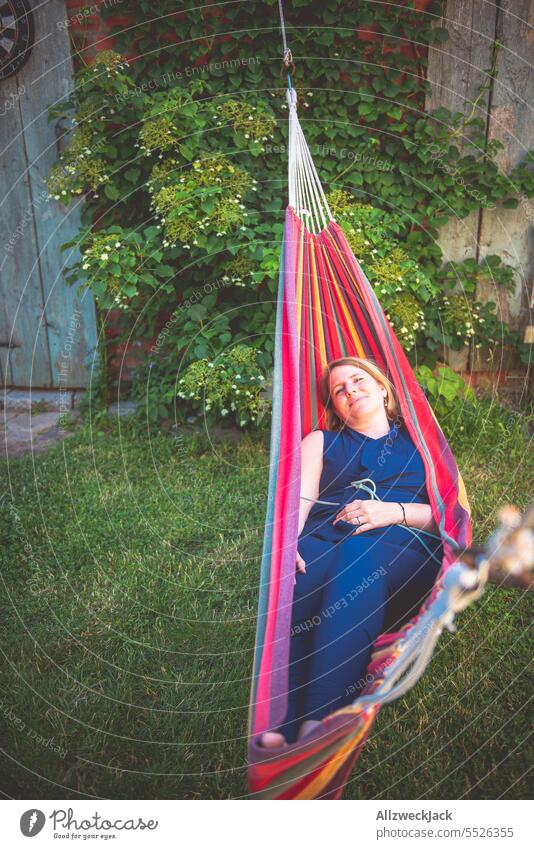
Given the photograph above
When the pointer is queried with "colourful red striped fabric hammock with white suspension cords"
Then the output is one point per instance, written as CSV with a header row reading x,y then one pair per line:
x,y
327,309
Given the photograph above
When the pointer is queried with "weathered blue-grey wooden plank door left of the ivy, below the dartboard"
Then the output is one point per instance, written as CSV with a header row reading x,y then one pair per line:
x,y
47,333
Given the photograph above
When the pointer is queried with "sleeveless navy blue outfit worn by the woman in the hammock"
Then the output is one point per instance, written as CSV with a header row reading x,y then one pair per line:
x,y
355,587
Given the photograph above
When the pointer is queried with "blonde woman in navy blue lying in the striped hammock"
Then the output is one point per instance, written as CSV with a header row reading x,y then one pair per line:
x,y
367,559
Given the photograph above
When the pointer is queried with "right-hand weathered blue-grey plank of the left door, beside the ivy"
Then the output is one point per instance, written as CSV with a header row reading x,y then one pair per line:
x,y
70,321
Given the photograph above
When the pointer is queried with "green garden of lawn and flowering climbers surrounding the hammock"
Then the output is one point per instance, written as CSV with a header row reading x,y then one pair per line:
x,y
131,552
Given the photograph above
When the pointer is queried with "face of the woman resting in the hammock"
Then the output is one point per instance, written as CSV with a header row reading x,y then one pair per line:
x,y
356,396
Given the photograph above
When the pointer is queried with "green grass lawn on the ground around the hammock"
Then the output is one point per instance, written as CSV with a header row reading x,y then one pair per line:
x,y
129,576
